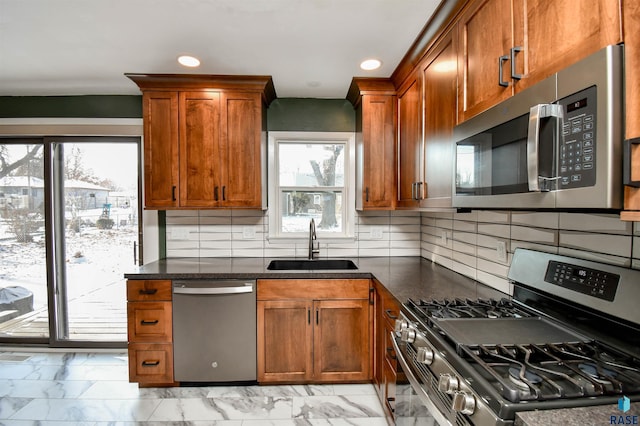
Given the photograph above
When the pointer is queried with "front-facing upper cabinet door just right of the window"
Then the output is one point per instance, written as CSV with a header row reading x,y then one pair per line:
x,y
378,148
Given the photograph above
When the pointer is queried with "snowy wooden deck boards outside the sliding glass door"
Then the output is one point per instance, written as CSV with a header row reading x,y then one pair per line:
x,y
97,316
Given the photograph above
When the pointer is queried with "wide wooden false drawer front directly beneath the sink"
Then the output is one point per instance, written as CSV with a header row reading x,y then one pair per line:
x,y
313,289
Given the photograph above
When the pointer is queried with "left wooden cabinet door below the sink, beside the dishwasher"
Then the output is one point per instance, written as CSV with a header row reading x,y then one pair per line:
x,y
285,338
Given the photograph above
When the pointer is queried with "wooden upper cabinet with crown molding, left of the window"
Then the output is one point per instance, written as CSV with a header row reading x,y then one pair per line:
x,y
204,140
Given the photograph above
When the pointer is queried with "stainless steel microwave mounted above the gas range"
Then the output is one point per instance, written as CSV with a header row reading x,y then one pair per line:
x,y
555,145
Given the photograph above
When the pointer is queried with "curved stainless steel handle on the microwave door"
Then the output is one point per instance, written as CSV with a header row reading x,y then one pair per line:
x,y
537,113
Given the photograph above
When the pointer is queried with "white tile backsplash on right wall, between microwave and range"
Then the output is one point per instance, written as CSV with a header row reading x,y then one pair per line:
x,y
480,244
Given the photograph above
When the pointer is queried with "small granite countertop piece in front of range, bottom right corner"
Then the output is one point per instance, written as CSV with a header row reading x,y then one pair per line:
x,y
583,416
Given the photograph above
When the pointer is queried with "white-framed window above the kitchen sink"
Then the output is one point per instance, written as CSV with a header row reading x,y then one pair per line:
x,y
310,178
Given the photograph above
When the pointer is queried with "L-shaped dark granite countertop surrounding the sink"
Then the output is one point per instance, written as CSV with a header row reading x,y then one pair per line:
x,y
404,277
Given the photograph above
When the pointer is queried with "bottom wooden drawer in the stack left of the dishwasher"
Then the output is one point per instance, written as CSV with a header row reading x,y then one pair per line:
x,y
151,363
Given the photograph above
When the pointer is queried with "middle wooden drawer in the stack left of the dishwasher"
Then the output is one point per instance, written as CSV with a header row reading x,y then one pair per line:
x,y
149,322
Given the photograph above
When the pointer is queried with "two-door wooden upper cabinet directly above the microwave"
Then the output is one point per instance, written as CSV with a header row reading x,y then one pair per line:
x,y
506,46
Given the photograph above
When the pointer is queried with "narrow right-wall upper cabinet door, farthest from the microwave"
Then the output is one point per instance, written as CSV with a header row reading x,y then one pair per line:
x,y
409,142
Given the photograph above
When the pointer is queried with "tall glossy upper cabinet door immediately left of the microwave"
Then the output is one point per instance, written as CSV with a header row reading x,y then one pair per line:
x,y
440,91
